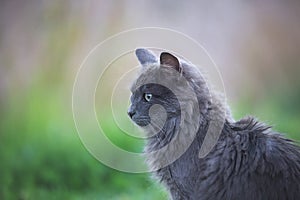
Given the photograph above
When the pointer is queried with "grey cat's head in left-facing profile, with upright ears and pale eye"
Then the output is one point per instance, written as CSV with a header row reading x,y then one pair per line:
x,y
166,81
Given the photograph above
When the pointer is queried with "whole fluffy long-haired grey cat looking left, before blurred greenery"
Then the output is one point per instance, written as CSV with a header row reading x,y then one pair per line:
x,y
248,160
